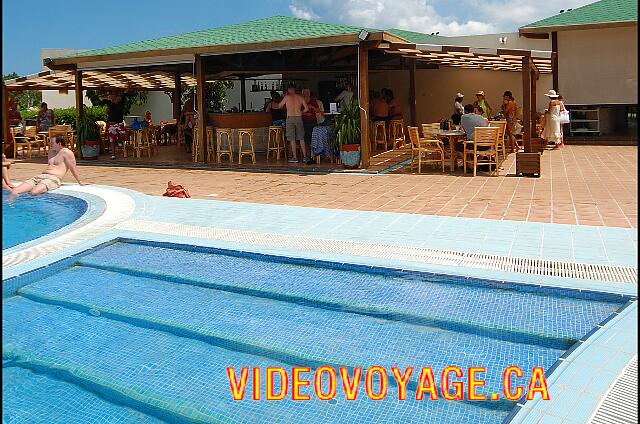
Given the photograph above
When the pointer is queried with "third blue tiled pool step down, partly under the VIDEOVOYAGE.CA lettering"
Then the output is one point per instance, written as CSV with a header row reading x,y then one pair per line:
x,y
177,379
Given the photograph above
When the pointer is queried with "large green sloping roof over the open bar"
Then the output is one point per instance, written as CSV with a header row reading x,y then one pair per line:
x,y
276,28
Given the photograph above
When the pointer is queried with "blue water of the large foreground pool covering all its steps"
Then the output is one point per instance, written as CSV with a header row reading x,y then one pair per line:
x,y
143,332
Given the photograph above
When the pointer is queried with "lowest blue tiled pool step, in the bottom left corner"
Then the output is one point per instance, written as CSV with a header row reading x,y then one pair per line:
x,y
29,397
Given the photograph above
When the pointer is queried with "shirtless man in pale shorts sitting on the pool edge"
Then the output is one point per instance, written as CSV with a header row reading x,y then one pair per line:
x,y
61,160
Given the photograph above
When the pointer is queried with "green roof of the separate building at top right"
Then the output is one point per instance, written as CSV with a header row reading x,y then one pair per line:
x,y
603,11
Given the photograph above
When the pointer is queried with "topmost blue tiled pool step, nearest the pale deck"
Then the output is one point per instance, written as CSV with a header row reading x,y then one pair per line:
x,y
540,318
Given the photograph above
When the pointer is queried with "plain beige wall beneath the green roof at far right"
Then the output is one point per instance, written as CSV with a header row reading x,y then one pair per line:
x,y
598,66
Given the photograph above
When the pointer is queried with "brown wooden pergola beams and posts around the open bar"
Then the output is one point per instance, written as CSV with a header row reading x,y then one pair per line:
x,y
173,69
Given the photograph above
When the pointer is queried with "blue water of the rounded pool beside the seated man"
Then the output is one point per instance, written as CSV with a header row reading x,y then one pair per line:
x,y
30,217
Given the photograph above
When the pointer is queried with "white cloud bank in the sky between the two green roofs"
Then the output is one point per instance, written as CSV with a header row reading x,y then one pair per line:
x,y
449,18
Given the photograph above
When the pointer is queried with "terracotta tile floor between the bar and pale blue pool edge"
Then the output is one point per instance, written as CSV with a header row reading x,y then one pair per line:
x,y
589,185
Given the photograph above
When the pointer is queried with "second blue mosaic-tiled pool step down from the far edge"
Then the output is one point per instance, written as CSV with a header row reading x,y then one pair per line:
x,y
290,333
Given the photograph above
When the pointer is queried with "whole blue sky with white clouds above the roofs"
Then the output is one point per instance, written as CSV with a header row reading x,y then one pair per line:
x,y
30,25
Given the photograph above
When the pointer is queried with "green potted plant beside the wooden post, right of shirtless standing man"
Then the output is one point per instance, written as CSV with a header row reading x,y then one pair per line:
x,y
348,134
